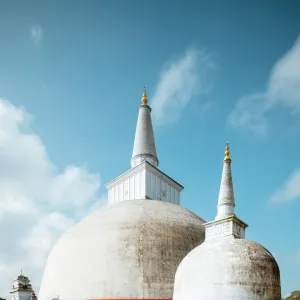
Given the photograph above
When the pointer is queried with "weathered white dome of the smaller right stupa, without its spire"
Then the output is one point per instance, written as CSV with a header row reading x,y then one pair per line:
x,y
228,268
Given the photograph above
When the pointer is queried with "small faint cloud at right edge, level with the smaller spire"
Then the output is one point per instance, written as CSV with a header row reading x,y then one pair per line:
x,y
289,191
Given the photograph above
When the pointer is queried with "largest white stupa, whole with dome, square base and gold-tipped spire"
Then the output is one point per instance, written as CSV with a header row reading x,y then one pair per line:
x,y
131,248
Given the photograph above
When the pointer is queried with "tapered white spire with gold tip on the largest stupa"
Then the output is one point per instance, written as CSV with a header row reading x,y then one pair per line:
x,y
144,144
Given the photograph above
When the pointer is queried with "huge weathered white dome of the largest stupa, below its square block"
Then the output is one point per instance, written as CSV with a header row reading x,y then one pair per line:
x,y
128,250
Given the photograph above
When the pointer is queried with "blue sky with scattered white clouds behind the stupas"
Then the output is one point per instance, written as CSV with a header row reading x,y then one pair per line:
x,y
72,75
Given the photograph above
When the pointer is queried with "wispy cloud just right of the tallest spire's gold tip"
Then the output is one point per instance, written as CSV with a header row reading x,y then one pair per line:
x,y
179,82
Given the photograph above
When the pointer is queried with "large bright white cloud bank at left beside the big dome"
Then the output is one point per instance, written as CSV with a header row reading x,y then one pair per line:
x,y
38,203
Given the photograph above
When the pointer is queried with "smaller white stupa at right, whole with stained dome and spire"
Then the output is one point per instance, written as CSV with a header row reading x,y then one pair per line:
x,y
226,266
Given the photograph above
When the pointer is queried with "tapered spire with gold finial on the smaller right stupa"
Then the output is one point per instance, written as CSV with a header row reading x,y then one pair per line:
x,y
226,201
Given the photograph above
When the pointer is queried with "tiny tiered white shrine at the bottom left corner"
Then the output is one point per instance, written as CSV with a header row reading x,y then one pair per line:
x,y
22,289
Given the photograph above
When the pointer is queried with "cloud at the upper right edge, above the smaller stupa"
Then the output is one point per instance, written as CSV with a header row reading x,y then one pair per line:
x,y
283,89
